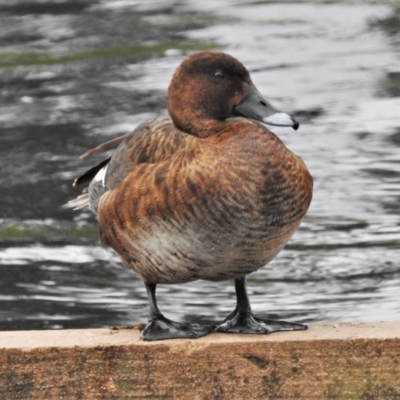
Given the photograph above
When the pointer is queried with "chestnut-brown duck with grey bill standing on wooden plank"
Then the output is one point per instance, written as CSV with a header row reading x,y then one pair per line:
x,y
205,193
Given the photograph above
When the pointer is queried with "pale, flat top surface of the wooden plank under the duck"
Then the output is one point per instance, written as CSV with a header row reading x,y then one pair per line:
x,y
26,340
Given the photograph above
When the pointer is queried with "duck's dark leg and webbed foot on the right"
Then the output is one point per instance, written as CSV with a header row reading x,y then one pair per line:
x,y
242,320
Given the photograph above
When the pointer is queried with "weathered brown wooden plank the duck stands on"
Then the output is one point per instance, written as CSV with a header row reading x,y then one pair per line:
x,y
349,361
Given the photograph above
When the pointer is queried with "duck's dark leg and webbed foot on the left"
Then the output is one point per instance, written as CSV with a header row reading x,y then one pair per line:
x,y
161,328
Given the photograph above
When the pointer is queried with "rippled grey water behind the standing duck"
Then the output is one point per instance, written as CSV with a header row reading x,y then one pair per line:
x,y
335,66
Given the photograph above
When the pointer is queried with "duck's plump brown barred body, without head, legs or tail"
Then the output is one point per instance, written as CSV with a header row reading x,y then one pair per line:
x,y
184,208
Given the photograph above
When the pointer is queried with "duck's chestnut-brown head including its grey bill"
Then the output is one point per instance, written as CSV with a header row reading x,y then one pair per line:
x,y
209,87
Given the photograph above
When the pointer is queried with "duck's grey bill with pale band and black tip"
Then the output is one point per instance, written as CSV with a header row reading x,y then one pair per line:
x,y
254,106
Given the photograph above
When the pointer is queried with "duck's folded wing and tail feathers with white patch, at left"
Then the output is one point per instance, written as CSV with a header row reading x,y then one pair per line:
x,y
151,142
